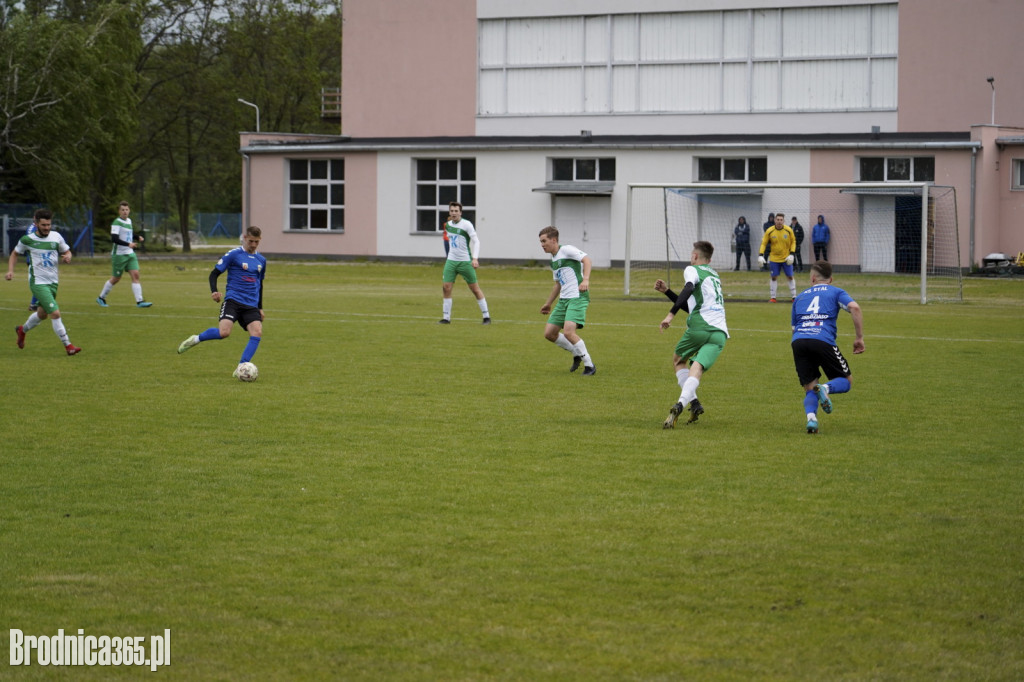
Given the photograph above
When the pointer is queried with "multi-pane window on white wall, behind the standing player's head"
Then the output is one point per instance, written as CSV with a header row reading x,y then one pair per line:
x,y
440,182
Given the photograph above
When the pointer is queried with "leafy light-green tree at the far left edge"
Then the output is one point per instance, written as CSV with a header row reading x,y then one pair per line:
x,y
66,101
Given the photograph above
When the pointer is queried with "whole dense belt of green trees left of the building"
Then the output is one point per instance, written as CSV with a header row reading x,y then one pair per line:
x,y
99,98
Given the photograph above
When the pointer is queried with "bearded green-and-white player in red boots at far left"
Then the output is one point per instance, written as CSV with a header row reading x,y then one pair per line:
x,y
47,250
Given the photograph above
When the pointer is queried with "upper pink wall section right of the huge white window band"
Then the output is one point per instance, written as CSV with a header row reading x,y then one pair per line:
x,y
948,49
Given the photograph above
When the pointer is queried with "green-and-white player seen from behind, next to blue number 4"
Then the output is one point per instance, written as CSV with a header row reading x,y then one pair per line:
x,y
706,329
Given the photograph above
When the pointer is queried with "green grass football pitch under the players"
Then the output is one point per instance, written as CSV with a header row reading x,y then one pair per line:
x,y
400,500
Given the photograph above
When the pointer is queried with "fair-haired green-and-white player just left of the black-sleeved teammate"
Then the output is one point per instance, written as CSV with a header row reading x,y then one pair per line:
x,y
571,269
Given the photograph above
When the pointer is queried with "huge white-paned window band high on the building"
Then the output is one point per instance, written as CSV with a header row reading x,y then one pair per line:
x,y
834,59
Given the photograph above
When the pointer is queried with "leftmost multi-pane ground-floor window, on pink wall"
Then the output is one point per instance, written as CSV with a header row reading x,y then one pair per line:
x,y
317,195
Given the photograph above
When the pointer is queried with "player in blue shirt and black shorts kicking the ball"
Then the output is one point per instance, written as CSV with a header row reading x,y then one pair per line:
x,y
243,301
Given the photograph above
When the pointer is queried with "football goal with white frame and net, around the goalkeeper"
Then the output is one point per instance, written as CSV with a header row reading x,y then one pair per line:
x,y
887,242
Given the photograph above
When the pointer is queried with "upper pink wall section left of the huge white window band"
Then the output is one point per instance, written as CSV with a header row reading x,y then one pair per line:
x,y
431,93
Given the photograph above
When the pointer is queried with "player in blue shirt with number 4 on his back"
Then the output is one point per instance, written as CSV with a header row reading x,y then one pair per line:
x,y
815,314
